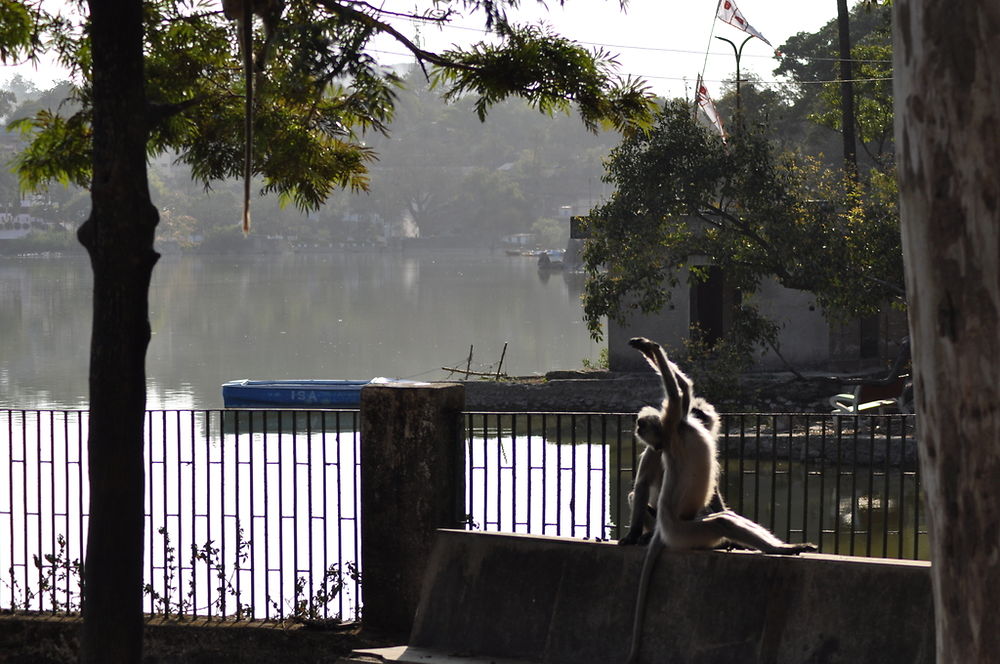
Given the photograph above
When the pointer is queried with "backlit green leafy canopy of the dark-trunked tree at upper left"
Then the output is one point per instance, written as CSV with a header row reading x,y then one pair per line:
x,y
320,93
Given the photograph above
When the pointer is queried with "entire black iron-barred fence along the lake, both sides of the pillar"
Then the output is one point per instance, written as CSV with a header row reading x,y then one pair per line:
x,y
254,514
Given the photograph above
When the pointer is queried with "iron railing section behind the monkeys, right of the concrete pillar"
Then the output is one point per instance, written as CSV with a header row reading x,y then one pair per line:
x,y
850,484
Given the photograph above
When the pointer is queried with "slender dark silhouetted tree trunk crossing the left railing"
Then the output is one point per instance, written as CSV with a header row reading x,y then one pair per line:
x,y
118,236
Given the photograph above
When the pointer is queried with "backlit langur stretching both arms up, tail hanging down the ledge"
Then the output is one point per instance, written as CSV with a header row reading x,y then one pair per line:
x,y
690,479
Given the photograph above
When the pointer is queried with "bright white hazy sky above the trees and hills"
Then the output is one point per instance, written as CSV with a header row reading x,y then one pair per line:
x,y
663,41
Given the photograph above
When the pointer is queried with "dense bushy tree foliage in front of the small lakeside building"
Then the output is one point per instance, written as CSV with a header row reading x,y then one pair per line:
x,y
685,199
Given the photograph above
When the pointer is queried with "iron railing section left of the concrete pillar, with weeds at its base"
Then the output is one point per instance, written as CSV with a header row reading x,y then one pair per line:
x,y
249,514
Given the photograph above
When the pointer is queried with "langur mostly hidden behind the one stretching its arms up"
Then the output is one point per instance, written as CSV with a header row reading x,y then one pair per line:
x,y
649,472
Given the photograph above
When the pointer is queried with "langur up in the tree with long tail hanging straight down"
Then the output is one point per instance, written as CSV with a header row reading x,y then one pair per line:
x,y
243,11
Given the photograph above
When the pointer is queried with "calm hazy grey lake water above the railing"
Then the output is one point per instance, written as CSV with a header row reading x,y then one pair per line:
x,y
343,315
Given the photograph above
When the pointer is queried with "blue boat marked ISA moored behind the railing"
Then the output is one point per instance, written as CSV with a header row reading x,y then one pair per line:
x,y
295,393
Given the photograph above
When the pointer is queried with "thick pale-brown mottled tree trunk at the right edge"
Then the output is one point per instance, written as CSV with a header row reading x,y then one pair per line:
x,y
947,95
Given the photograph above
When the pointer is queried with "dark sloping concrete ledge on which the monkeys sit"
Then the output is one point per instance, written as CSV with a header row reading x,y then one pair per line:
x,y
555,600
